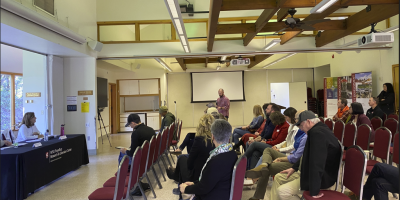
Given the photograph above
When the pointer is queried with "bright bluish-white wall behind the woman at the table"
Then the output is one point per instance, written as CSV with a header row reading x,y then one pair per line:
x,y
34,75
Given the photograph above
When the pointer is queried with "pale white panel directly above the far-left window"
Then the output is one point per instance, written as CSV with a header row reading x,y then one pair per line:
x,y
11,59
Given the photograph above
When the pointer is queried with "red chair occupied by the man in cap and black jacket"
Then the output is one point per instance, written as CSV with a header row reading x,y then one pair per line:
x,y
353,176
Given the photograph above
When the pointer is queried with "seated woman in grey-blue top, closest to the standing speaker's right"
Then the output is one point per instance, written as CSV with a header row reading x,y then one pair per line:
x,y
255,124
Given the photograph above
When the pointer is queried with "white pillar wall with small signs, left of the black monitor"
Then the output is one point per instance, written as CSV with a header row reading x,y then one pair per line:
x,y
80,74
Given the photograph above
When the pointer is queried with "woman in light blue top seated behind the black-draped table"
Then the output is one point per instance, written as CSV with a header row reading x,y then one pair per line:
x,y
28,127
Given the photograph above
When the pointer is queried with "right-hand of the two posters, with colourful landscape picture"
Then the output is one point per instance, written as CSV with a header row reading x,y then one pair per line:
x,y
362,88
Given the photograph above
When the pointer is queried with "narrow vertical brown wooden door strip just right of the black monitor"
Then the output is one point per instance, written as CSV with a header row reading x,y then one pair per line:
x,y
112,91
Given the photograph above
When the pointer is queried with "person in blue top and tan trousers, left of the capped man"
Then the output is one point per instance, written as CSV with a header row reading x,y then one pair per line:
x,y
274,162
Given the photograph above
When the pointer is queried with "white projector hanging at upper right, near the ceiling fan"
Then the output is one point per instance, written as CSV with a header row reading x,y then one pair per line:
x,y
375,39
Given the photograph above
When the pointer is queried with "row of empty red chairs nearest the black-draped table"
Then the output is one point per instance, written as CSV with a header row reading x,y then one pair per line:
x,y
143,159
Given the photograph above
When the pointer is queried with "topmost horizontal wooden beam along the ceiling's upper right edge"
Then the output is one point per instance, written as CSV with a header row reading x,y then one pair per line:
x,y
228,5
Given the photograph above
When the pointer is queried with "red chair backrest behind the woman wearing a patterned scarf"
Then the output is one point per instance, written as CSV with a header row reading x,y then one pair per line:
x,y
238,178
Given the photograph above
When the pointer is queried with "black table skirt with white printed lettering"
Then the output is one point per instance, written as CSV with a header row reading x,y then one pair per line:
x,y
26,169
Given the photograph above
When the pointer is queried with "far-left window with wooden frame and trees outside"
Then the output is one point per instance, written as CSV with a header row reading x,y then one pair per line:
x,y
11,100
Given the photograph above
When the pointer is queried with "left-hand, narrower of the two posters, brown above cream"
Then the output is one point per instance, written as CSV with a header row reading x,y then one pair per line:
x,y
330,96
